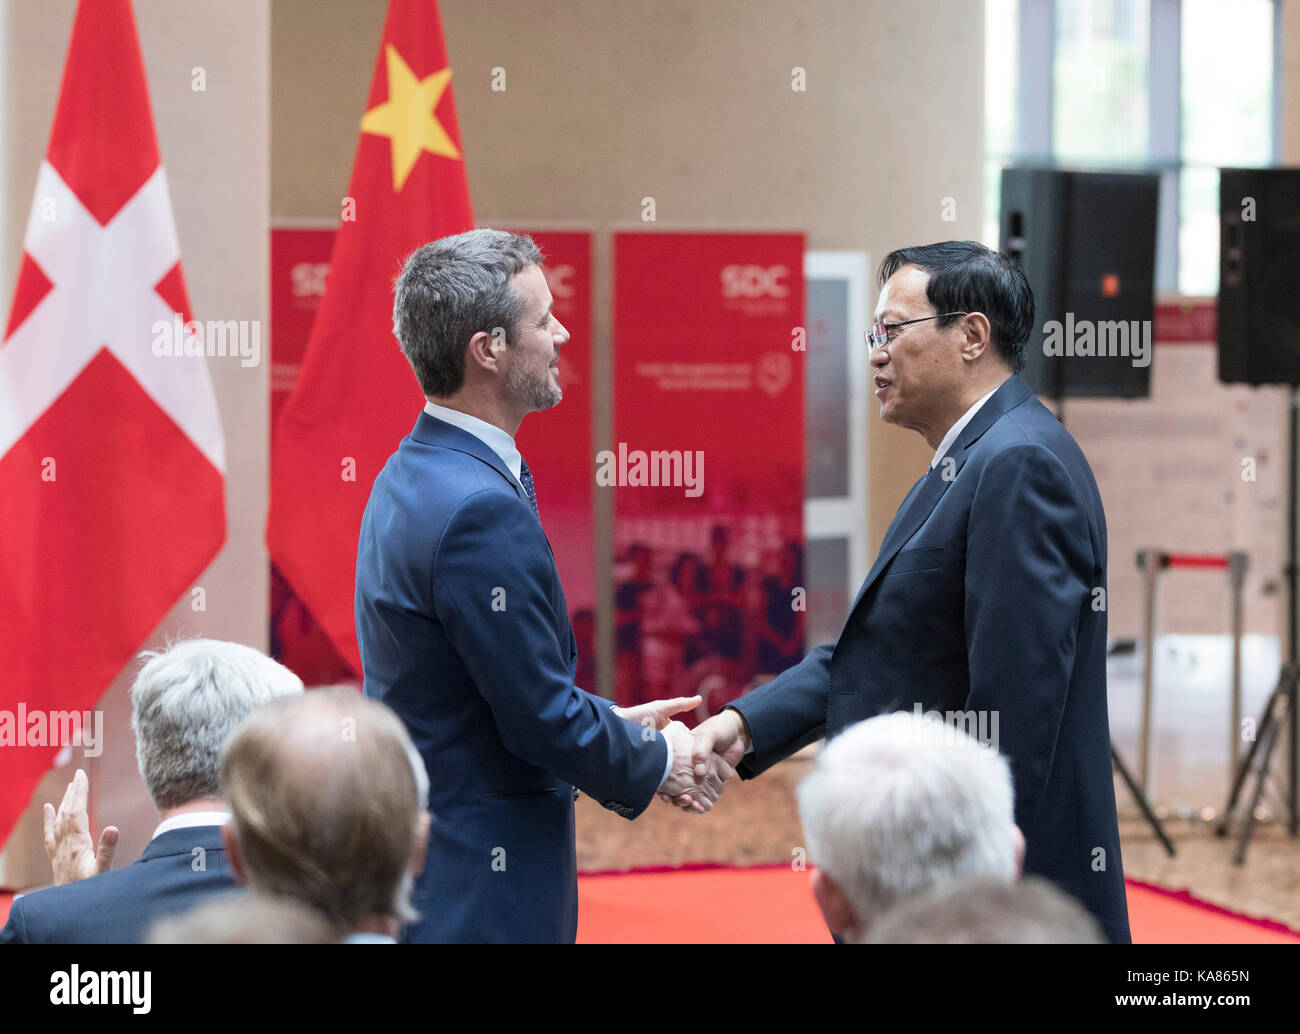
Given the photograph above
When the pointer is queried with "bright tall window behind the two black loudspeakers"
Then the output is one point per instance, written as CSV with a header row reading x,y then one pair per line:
x,y
1099,76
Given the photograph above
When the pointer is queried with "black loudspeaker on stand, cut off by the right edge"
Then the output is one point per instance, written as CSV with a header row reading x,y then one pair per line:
x,y
1259,310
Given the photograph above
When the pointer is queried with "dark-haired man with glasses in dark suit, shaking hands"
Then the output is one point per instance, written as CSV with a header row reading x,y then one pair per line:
x,y
987,600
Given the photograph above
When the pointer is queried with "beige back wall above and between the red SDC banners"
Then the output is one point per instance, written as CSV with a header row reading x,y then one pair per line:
x,y
691,103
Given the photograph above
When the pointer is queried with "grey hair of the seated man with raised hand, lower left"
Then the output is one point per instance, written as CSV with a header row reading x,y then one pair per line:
x,y
187,700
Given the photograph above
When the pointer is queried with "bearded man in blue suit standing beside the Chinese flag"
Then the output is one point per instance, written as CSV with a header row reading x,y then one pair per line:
x,y
462,621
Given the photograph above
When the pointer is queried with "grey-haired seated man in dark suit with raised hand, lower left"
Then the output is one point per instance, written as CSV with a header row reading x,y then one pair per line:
x,y
185,702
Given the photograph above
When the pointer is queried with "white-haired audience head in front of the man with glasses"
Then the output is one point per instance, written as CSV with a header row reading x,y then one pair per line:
x,y
899,806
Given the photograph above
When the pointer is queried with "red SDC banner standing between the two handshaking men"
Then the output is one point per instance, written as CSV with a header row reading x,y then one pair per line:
x,y
708,462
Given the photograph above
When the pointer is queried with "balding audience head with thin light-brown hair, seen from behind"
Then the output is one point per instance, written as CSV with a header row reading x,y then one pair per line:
x,y
330,807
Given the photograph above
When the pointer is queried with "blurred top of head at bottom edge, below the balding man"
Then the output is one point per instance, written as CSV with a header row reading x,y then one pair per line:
x,y
245,919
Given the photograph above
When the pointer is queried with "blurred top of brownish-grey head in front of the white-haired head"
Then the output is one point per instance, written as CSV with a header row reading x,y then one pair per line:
x,y
990,912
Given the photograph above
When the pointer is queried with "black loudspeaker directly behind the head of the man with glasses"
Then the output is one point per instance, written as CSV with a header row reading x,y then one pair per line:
x,y
1087,244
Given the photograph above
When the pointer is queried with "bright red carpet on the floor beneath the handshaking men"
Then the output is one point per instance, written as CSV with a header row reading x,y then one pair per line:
x,y
774,906
